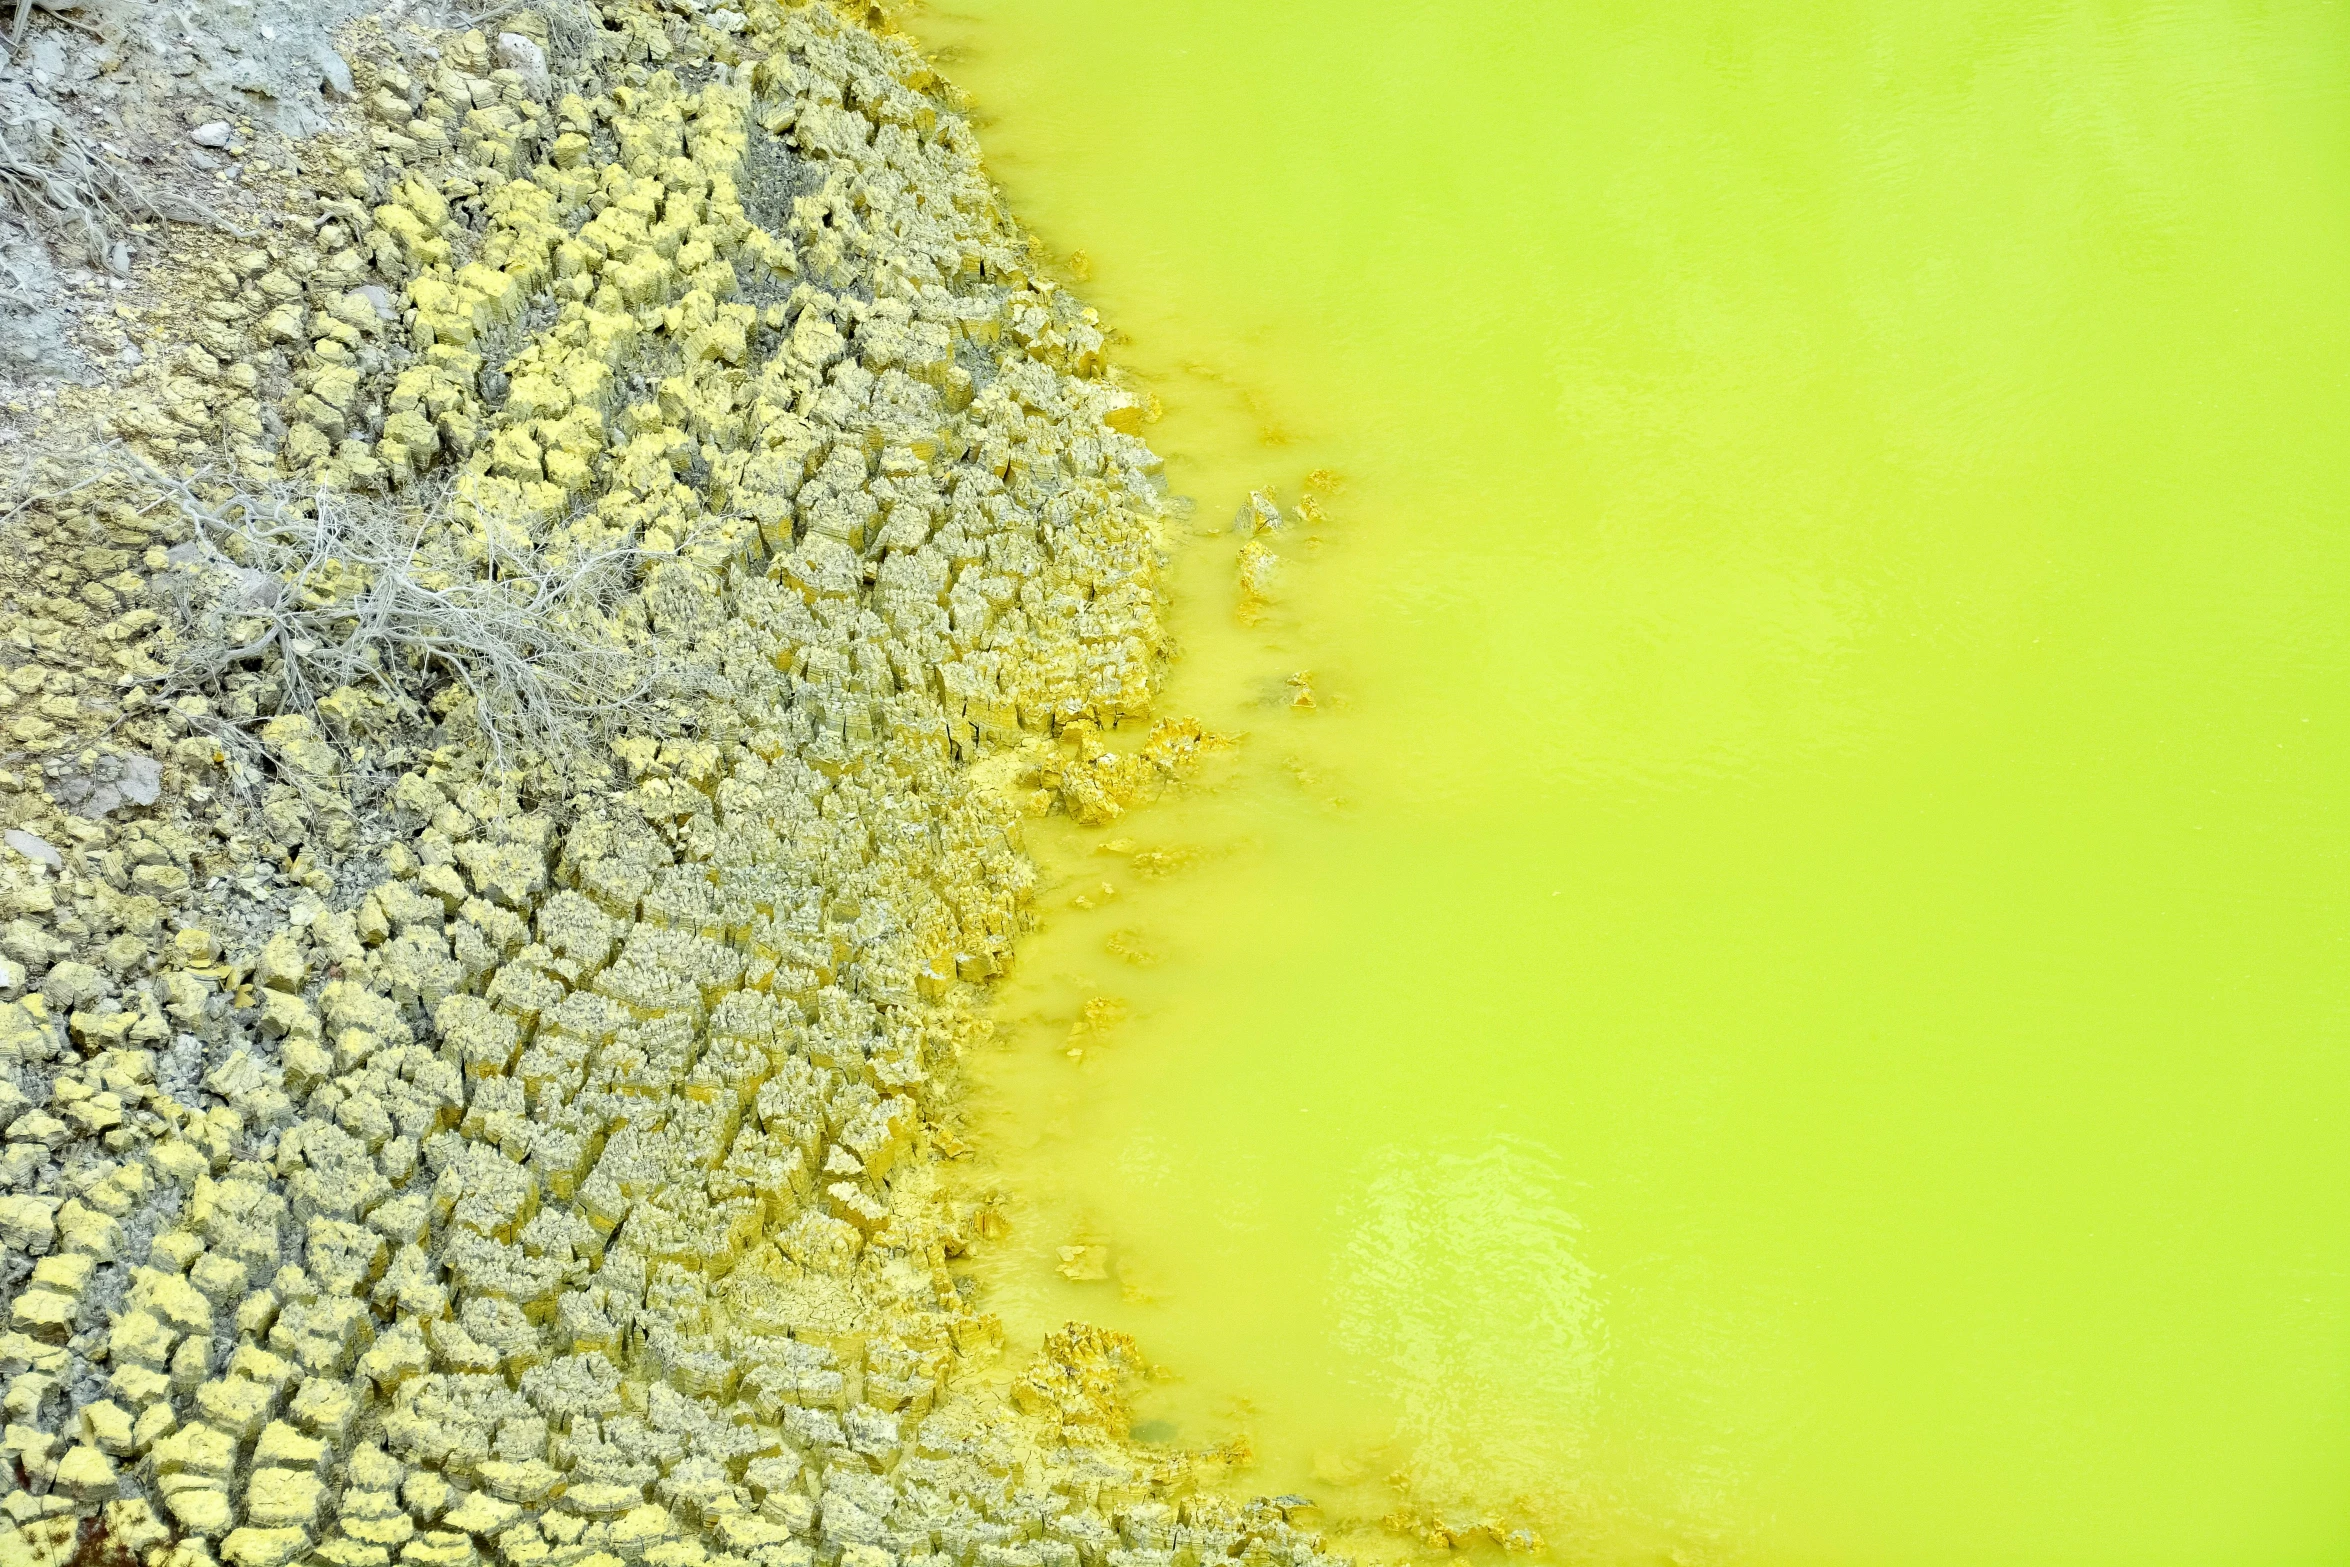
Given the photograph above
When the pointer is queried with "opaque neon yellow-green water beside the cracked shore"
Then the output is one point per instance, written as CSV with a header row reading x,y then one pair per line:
x,y
1790,997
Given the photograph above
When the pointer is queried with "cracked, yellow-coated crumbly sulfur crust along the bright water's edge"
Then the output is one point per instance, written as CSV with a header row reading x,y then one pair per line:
x,y
499,1173
